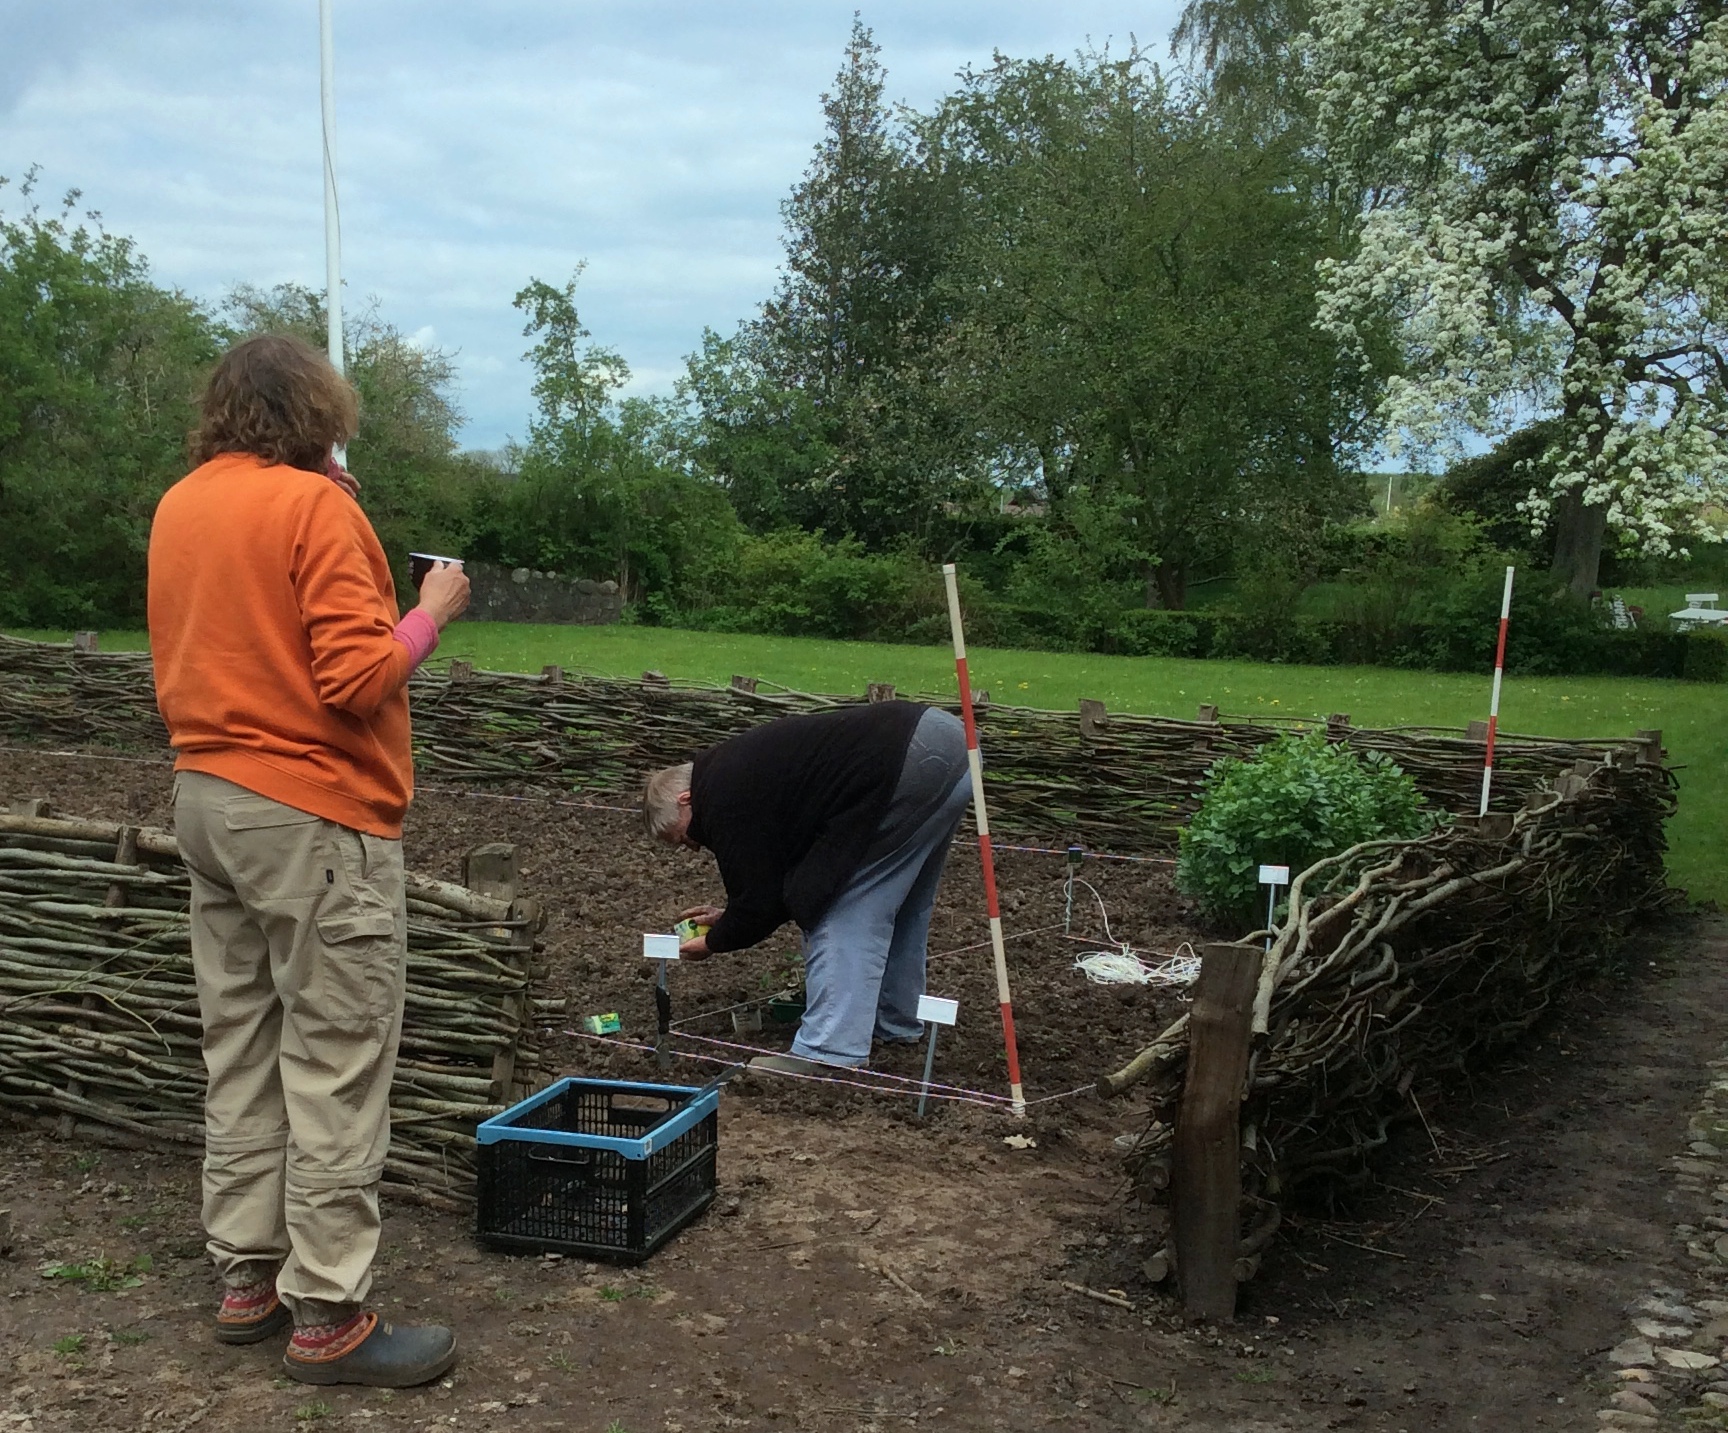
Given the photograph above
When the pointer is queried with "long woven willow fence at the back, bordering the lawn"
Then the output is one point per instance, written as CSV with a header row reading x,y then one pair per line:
x,y
1115,782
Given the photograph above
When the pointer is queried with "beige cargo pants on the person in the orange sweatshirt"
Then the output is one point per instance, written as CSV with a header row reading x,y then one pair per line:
x,y
300,934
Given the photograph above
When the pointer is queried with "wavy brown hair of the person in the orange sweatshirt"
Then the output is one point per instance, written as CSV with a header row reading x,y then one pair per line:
x,y
279,398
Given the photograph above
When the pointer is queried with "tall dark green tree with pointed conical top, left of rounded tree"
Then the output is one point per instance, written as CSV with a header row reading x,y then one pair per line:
x,y
830,411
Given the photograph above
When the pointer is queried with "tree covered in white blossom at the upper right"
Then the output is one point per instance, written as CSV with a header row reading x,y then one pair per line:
x,y
1547,229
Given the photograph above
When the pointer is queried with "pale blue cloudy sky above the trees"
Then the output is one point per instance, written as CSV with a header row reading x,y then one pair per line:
x,y
481,144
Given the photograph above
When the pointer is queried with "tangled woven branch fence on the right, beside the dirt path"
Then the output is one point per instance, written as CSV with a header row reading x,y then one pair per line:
x,y
1401,962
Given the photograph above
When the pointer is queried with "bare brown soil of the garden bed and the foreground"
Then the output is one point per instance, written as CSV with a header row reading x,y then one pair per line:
x,y
865,1270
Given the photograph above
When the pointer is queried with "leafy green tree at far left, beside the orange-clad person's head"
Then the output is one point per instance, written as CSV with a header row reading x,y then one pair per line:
x,y
99,371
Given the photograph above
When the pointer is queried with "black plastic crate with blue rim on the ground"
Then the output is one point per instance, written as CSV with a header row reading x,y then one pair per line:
x,y
606,1169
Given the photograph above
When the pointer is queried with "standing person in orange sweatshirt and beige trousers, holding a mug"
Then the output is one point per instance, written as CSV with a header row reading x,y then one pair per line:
x,y
283,673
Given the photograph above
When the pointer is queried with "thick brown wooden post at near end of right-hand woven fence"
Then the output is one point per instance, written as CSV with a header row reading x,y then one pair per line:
x,y
1207,1173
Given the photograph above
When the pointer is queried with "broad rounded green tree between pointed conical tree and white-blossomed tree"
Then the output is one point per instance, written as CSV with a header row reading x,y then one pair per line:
x,y
1134,314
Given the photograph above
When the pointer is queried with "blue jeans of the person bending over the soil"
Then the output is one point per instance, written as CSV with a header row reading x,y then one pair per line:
x,y
865,960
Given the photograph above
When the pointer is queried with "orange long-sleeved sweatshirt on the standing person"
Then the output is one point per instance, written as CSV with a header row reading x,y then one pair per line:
x,y
272,616
